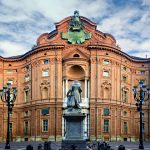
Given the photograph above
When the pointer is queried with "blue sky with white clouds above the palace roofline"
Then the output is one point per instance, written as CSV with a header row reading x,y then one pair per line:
x,y
23,21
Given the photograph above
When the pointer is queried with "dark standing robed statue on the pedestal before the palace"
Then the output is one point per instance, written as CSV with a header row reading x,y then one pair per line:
x,y
74,95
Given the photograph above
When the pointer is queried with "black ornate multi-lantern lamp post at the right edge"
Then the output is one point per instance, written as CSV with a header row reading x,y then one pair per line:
x,y
140,97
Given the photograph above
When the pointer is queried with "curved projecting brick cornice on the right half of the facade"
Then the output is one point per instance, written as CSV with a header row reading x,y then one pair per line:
x,y
117,51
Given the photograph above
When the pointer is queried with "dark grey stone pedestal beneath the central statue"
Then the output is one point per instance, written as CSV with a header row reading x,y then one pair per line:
x,y
74,131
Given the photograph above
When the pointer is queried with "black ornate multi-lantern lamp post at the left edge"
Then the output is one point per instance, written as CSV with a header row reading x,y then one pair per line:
x,y
8,96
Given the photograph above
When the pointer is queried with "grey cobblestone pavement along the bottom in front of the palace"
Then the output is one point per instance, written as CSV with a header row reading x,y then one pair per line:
x,y
57,145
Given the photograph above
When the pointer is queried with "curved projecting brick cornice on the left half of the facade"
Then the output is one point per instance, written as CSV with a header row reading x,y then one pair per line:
x,y
36,49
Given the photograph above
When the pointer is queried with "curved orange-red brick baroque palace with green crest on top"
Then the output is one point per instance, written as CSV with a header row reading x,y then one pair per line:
x,y
76,50
